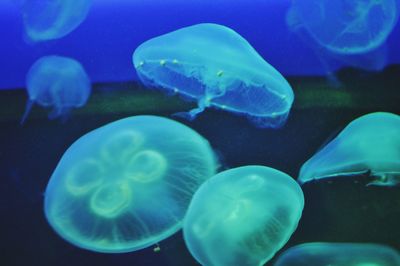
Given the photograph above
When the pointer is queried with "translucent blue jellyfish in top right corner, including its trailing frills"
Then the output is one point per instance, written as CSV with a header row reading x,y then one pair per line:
x,y
345,32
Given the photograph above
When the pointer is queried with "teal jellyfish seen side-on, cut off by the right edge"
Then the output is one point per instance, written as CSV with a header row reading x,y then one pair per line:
x,y
369,146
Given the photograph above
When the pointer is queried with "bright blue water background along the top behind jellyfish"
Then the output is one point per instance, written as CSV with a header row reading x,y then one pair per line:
x,y
105,41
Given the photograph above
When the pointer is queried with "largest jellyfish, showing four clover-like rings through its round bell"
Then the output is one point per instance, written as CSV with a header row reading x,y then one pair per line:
x,y
127,185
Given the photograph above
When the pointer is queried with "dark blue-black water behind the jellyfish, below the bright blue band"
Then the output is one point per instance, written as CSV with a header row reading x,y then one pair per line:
x,y
342,211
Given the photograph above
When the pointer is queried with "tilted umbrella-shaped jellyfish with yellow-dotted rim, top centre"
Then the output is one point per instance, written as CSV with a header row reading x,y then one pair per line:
x,y
215,66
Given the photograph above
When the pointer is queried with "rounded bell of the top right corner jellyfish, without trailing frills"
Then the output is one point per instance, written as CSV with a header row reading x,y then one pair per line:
x,y
345,26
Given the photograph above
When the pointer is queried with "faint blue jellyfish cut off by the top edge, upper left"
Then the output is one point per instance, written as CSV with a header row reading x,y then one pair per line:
x,y
49,20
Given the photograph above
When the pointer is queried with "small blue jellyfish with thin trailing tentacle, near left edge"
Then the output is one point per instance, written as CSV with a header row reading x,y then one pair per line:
x,y
57,81
